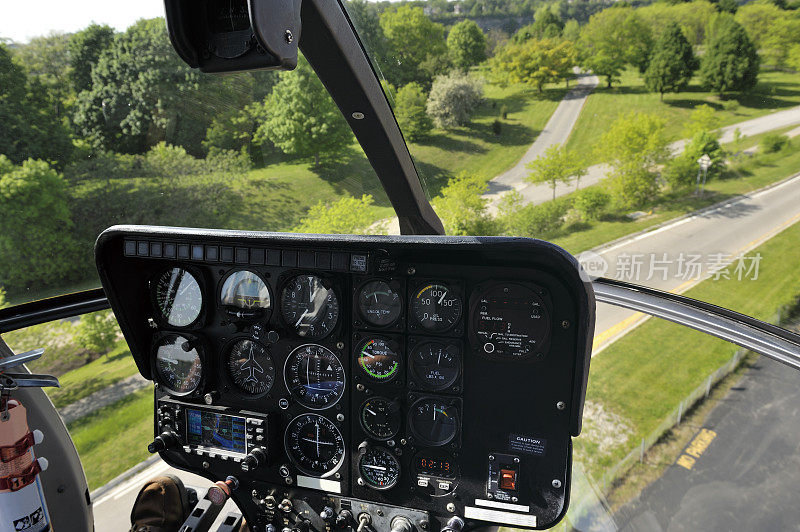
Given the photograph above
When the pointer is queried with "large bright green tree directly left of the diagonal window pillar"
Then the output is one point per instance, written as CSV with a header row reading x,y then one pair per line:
x,y
300,117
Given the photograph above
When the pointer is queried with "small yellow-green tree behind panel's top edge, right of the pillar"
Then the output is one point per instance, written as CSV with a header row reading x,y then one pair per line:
x,y
463,208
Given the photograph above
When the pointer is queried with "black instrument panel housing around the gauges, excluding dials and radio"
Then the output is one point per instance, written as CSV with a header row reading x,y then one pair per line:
x,y
506,408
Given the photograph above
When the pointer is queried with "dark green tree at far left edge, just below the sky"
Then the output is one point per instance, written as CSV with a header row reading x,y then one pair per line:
x,y
29,125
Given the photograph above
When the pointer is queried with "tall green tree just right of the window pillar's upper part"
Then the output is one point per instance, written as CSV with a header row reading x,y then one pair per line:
x,y
412,39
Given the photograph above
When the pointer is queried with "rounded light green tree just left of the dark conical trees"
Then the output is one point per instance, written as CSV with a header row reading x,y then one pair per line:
x,y
612,39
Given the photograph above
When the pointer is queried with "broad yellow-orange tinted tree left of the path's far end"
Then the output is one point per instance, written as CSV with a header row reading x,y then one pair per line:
x,y
534,62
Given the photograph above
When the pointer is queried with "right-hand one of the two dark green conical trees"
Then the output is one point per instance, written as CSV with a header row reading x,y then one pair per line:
x,y
731,62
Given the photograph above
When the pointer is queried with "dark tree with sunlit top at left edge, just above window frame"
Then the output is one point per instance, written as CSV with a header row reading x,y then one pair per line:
x,y
36,219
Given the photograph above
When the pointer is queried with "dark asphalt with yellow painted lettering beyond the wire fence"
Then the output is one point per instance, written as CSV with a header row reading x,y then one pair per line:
x,y
747,477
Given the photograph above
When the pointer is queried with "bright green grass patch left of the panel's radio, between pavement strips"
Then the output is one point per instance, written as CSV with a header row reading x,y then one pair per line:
x,y
114,439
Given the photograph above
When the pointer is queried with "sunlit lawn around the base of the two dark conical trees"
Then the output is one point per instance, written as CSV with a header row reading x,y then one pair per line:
x,y
775,91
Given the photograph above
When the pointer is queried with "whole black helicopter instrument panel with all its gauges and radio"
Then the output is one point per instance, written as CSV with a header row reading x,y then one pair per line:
x,y
339,379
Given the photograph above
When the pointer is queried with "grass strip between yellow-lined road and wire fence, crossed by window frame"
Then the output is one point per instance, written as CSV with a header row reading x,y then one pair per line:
x,y
640,381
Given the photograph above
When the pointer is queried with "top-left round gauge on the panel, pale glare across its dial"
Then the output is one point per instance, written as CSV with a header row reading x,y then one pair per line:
x,y
179,297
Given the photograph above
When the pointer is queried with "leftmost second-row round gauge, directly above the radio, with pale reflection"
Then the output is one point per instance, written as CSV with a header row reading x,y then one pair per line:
x,y
178,364
